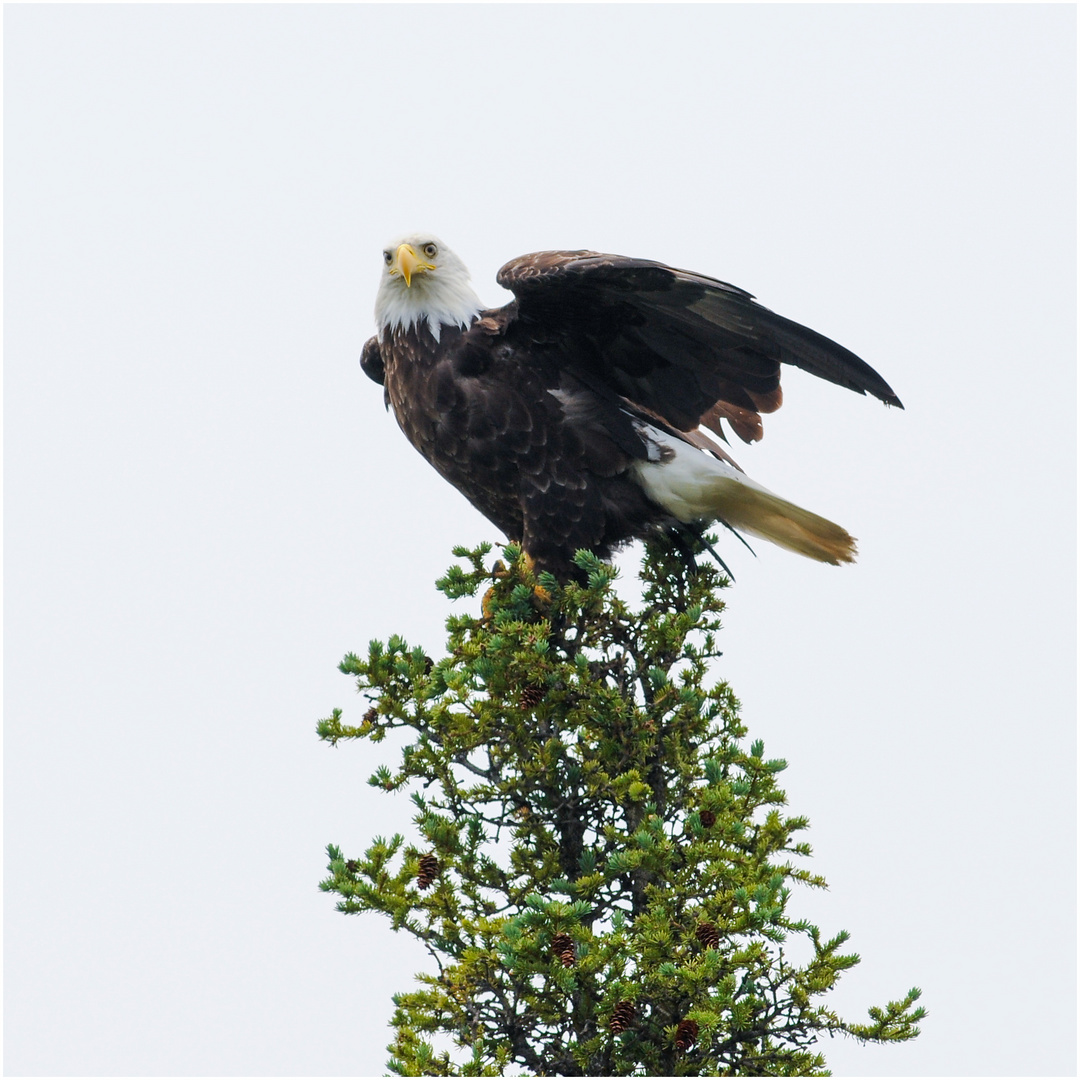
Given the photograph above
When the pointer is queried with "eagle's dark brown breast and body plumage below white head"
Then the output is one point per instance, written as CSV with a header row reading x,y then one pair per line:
x,y
488,423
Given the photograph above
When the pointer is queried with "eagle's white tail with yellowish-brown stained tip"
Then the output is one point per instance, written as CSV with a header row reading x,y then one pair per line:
x,y
694,487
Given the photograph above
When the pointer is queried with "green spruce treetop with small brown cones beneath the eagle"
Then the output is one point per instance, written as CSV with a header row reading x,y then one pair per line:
x,y
603,868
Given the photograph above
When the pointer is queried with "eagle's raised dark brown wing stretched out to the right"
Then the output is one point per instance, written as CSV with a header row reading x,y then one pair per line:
x,y
692,349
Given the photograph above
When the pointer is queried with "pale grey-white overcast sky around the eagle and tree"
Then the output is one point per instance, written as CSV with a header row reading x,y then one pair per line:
x,y
207,505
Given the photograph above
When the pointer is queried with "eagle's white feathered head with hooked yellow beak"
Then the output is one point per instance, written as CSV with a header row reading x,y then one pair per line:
x,y
423,280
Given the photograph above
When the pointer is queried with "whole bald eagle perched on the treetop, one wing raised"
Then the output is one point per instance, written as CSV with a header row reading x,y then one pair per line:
x,y
573,417
